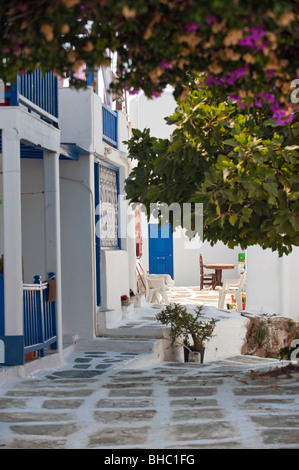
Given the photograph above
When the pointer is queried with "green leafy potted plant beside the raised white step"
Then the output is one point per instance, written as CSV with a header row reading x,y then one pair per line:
x,y
188,329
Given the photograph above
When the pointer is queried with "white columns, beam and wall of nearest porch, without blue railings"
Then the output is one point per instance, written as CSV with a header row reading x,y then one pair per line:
x,y
30,212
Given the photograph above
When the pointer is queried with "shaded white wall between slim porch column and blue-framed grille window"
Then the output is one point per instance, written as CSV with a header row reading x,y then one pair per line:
x,y
77,246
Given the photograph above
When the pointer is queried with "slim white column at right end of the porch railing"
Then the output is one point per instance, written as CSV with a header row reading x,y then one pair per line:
x,y
52,230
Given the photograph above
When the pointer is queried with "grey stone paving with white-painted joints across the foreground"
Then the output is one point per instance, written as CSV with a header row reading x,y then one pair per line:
x,y
97,402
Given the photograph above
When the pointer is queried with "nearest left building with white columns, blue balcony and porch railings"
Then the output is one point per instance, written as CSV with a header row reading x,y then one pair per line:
x,y
30,216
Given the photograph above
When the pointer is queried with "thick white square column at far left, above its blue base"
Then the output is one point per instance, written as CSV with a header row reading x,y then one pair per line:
x,y
13,291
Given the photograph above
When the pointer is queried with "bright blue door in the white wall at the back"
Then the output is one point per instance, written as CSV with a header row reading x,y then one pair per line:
x,y
160,250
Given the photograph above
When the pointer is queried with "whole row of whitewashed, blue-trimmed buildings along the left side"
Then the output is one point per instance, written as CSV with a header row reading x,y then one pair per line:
x,y
68,258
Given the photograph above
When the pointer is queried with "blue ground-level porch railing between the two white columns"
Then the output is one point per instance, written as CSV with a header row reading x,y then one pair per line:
x,y
40,329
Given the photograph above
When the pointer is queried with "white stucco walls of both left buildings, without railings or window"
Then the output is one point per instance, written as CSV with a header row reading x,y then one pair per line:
x,y
47,213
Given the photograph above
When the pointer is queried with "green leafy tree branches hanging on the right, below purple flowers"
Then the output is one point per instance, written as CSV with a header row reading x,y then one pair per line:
x,y
240,164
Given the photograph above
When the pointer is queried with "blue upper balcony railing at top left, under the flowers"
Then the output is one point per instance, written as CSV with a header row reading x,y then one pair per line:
x,y
35,91
